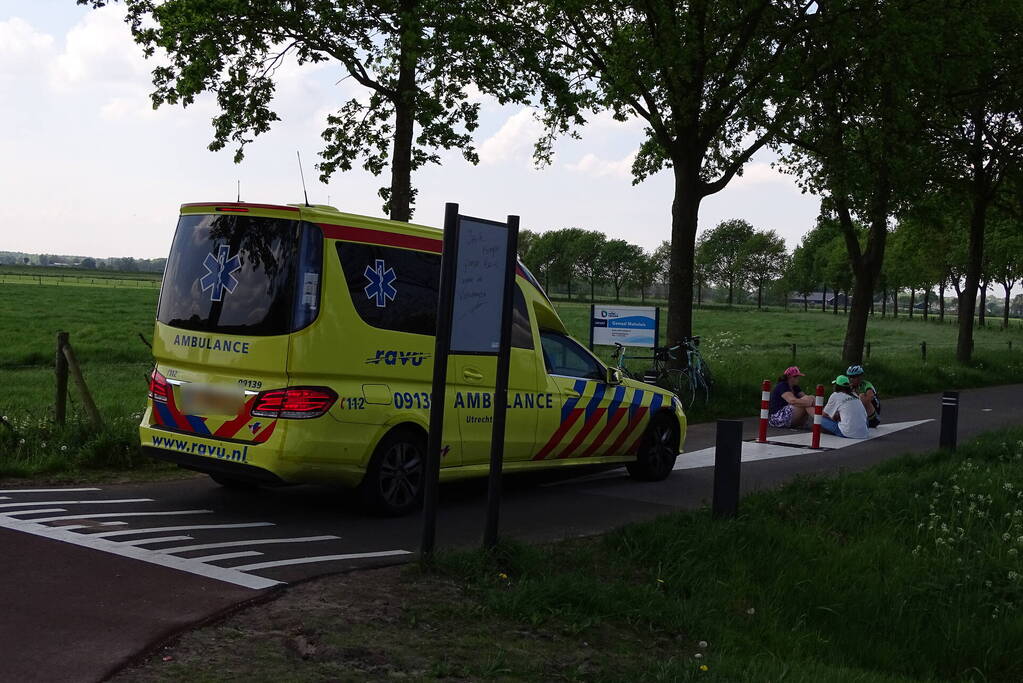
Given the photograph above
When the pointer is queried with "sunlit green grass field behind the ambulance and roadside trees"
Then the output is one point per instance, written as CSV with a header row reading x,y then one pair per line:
x,y
742,347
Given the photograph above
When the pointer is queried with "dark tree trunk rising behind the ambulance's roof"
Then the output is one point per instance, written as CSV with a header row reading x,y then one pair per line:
x,y
399,201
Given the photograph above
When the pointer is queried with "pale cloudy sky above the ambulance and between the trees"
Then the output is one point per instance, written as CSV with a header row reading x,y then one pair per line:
x,y
88,168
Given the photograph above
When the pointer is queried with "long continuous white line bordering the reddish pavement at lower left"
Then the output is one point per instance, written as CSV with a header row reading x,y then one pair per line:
x,y
228,575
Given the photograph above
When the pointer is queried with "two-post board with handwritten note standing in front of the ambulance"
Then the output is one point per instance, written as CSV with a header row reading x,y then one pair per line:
x,y
474,317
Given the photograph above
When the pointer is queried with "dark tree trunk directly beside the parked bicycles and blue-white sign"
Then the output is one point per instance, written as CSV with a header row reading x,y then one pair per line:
x,y
685,217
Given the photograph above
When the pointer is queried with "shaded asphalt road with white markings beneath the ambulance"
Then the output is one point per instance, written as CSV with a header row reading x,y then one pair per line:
x,y
96,576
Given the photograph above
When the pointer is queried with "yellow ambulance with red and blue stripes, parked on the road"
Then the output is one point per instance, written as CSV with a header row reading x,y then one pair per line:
x,y
294,344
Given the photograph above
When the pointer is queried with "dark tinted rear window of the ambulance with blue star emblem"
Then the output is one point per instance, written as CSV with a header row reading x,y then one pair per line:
x,y
241,276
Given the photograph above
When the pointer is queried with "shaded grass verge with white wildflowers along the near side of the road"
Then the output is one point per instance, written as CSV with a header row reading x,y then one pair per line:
x,y
910,572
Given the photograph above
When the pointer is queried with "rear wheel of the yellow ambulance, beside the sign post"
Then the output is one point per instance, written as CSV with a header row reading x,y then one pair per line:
x,y
394,482
